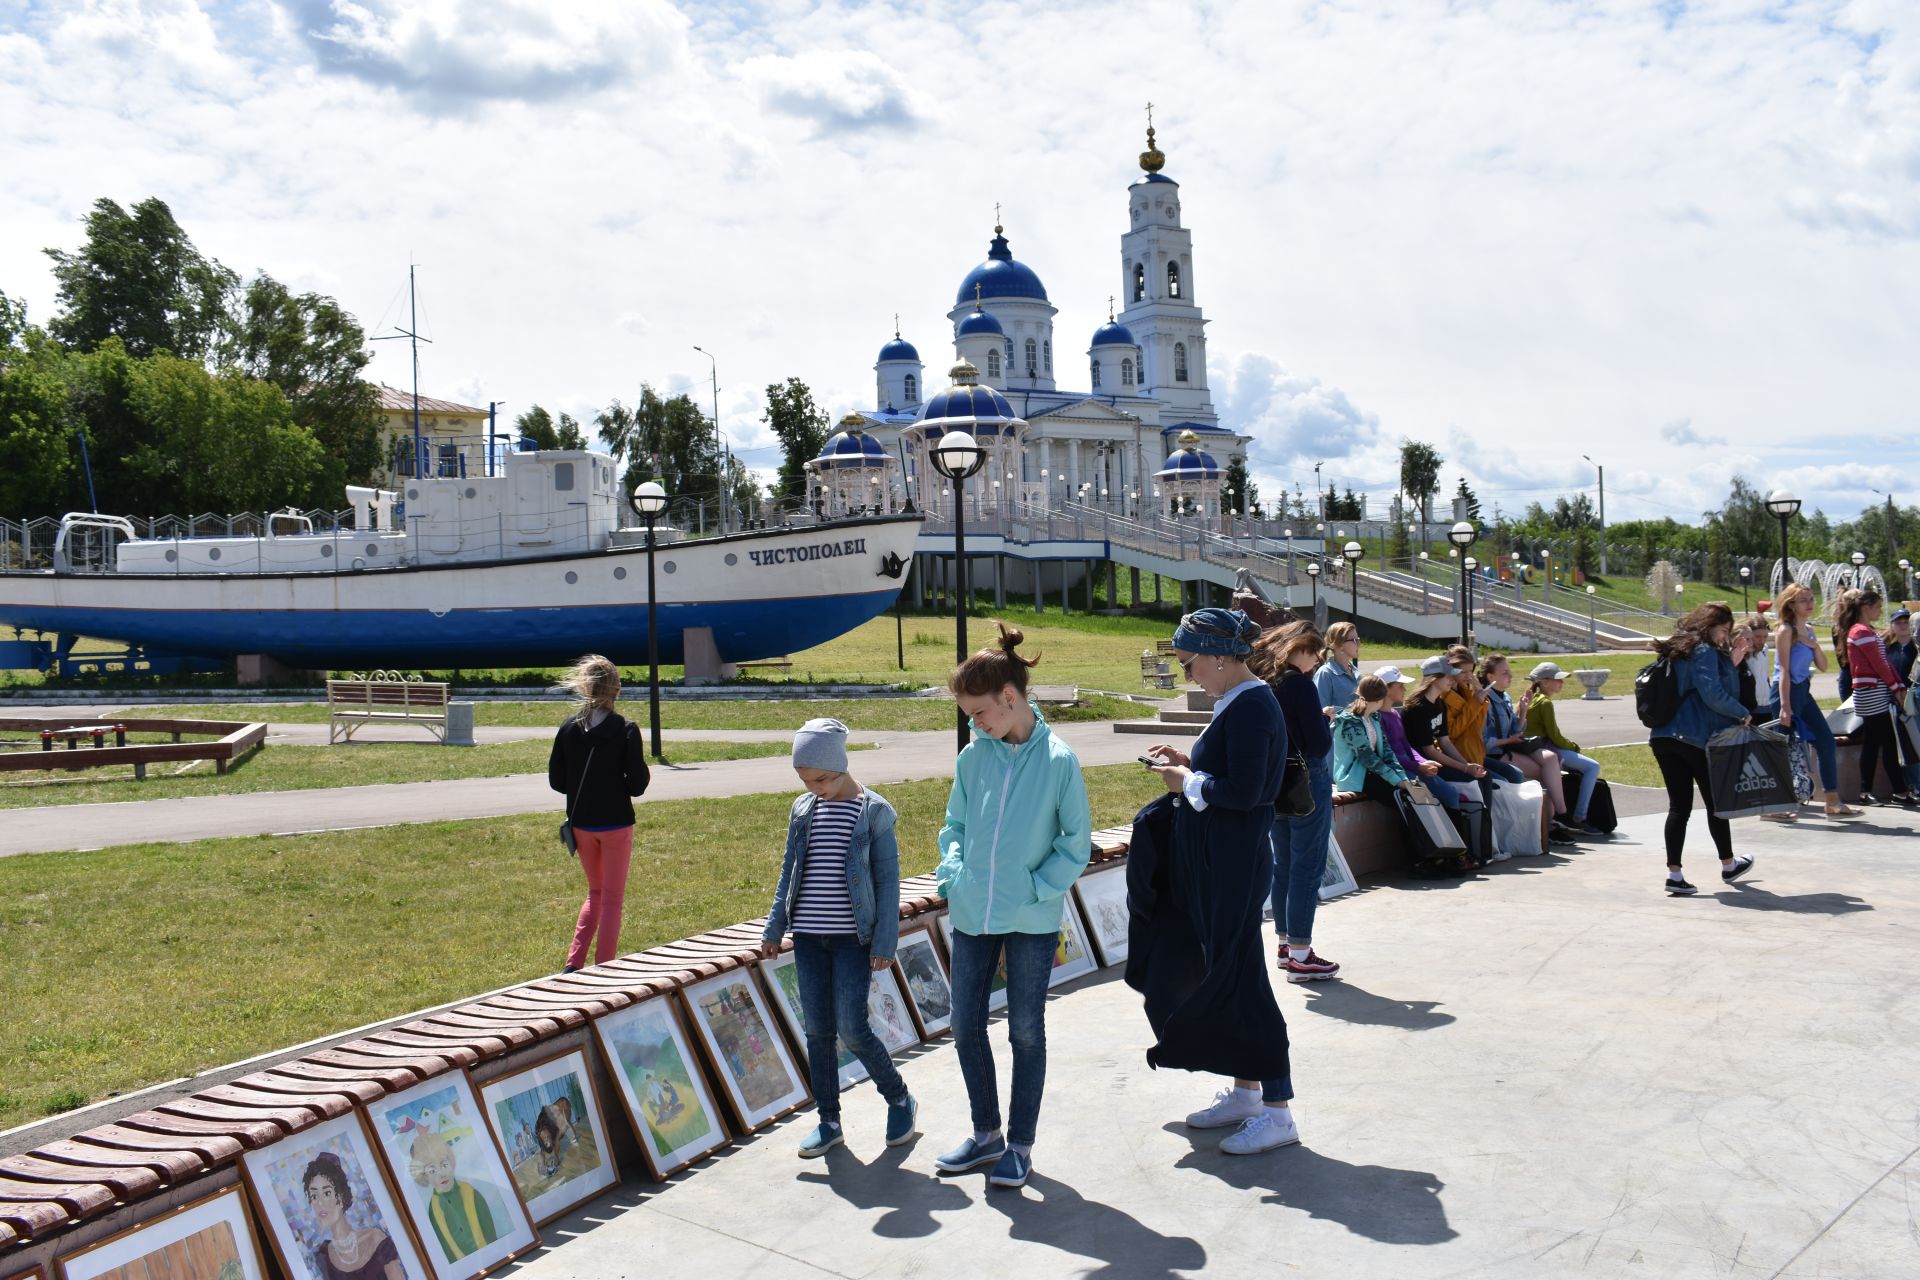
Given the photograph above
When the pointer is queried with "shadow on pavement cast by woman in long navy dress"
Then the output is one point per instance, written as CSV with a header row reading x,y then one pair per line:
x,y
1393,1206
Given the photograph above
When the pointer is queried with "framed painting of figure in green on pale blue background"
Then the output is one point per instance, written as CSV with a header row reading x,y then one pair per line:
x,y
452,1177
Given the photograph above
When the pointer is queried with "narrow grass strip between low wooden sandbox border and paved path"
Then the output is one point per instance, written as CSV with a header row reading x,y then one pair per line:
x,y
304,769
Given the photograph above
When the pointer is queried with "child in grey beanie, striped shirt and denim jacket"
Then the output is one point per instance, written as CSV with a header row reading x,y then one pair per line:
x,y
840,895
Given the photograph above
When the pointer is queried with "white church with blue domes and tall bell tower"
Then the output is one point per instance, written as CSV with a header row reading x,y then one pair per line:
x,y
1109,427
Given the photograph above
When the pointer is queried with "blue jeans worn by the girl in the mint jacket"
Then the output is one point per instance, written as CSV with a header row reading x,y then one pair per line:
x,y
1030,964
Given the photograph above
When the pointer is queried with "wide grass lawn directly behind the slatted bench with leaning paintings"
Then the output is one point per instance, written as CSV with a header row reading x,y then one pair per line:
x,y
151,962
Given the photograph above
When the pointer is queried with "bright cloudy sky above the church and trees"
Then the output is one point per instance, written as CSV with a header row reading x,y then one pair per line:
x,y
1677,239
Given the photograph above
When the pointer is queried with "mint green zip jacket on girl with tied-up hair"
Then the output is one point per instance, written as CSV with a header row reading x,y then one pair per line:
x,y
1017,836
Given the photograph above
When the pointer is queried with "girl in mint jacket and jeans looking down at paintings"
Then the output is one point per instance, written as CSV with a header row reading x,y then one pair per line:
x,y
1017,838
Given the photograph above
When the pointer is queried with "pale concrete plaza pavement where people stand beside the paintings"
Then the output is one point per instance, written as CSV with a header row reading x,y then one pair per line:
x,y
1550,1070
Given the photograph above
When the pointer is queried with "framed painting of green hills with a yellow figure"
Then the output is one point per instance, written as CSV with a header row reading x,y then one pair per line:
x,y
661,1085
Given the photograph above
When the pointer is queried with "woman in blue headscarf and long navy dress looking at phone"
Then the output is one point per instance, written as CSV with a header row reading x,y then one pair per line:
x,y
1199,874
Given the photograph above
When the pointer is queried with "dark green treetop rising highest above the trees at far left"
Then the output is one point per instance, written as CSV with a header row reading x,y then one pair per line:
x,y
141,279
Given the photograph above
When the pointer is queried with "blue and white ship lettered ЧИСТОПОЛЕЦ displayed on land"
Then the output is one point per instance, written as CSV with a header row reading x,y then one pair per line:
x,y
531,567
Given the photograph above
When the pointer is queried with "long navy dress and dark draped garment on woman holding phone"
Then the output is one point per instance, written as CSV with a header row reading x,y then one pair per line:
x,y
1197,882
